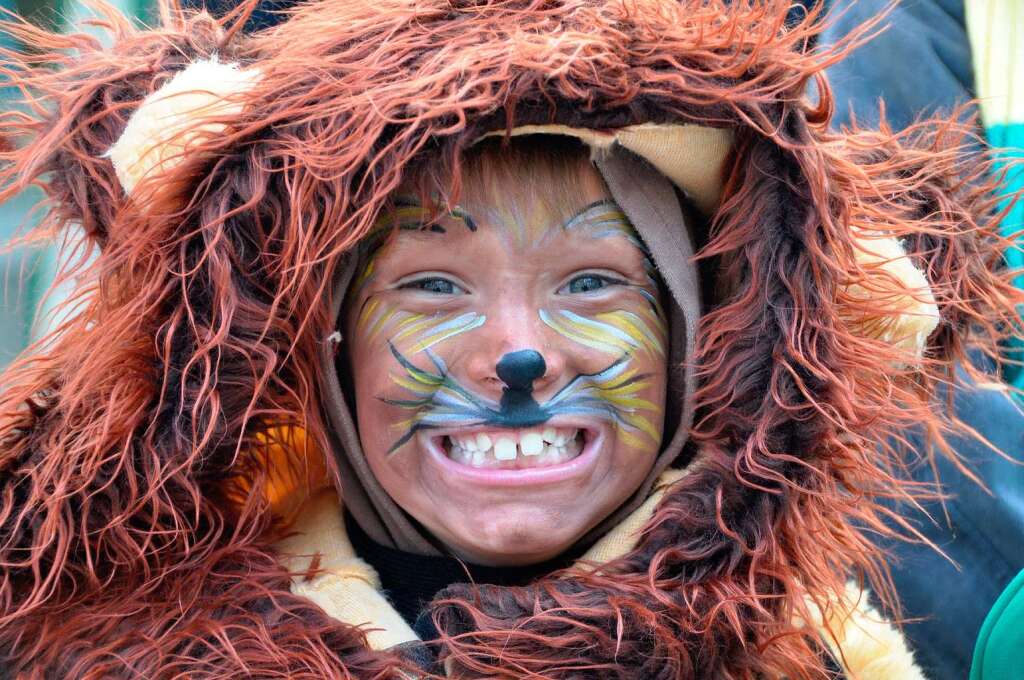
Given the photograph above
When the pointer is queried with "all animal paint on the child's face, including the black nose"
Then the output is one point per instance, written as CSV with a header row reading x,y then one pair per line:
x,y
442,401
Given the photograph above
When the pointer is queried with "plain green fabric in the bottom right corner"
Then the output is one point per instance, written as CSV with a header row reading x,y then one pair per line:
x,y
999,654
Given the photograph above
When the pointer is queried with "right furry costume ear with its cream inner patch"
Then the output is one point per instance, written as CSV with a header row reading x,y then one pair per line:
x,y
925,230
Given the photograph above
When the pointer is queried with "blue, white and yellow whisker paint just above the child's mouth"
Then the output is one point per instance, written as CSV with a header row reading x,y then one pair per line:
x,y
440,400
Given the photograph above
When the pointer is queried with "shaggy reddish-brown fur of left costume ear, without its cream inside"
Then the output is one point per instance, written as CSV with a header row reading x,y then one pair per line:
x,y
79,98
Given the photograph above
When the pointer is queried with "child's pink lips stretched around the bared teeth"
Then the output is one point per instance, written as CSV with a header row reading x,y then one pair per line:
x,y
579,466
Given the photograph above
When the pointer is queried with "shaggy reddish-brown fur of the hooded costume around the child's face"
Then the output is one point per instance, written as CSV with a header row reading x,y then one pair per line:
x,y
137,443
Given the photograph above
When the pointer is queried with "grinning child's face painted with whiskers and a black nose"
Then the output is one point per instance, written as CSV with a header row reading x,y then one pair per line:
x,y
509,367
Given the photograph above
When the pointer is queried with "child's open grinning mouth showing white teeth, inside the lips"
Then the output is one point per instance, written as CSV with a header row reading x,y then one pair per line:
x,y
520,449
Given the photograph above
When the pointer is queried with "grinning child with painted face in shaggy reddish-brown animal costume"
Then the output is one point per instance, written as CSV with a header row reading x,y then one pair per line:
x,y
429,267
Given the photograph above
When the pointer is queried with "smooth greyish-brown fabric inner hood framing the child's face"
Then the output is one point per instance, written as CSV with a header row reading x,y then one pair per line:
x,y
654,207
